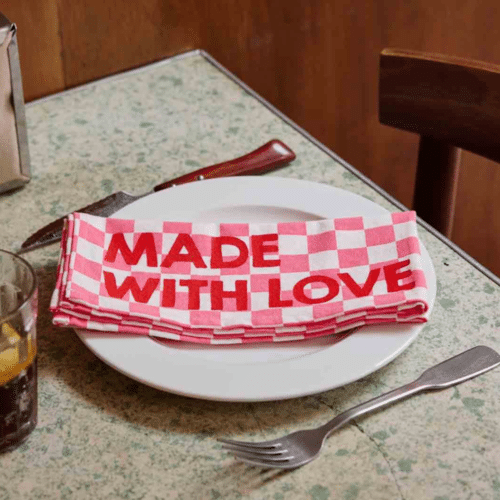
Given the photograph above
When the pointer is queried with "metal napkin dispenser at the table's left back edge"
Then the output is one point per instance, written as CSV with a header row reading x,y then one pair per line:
x,y
14,154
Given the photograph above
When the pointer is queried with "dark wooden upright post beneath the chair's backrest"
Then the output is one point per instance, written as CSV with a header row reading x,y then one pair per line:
x,y
436,183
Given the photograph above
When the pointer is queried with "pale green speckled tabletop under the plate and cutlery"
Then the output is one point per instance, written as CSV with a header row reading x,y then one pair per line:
x,y
101,435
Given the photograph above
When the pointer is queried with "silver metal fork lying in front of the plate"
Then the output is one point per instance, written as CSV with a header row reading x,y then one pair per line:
x,y
301,447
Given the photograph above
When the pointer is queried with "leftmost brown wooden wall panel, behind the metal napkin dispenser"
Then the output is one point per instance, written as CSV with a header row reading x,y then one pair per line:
x,y
39,45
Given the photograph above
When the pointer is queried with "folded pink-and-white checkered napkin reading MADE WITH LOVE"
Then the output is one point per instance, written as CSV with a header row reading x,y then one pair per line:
x,y
239,282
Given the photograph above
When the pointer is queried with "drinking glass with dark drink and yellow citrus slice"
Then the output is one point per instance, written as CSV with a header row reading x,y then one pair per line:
x,y
18,360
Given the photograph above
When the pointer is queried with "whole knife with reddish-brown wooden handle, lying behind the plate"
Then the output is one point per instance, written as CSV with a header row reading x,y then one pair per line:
x,y
272,155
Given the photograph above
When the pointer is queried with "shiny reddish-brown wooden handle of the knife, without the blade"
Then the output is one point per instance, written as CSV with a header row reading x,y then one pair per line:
x,y
268,157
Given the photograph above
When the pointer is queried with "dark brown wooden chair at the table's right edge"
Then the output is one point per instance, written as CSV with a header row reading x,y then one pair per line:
x,y
451,103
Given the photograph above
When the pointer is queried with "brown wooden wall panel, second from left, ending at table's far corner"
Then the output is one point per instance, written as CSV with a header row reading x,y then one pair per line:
x,y
104,37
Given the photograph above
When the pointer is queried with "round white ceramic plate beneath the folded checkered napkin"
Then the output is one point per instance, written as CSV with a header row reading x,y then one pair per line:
x,y
254,372
